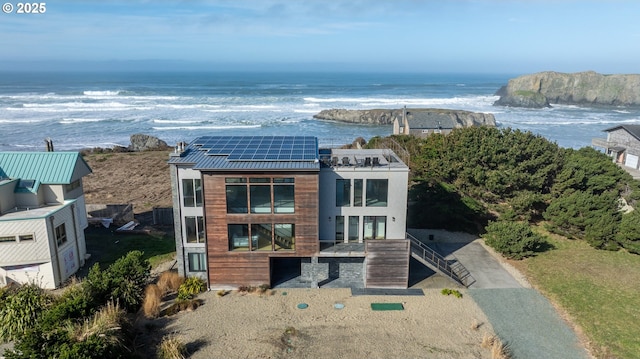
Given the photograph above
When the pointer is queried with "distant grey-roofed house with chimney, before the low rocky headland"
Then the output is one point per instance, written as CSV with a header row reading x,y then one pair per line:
x,y
422,124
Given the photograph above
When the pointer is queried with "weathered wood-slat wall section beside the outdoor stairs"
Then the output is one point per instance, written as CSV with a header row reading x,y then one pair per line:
x,y
387,263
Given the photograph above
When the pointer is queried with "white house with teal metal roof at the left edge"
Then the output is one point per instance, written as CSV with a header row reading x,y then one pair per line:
x,y
42,217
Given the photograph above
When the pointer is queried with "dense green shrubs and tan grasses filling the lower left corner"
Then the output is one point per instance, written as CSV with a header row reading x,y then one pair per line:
x,y
89,320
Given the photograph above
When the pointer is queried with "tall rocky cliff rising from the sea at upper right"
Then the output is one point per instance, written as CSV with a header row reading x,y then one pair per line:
x,y
584,88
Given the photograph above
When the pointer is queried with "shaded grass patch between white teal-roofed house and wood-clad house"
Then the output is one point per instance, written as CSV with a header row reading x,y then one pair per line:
x,y
106,246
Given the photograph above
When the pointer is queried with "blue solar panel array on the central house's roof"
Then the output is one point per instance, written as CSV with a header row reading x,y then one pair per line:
x,y
260,148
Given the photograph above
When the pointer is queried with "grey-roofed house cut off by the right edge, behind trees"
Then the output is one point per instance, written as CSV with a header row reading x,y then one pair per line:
x,y
622,144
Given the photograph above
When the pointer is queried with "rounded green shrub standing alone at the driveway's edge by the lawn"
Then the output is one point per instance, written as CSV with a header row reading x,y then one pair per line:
x,y
513,240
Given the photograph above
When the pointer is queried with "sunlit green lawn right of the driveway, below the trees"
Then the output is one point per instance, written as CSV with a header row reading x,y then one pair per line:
x,y
599,289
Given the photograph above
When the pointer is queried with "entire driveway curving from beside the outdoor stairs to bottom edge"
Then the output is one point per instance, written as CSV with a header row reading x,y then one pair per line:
x,y
524,319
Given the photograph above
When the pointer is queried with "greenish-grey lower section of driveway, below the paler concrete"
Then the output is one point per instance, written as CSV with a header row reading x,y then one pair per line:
x,y
528,323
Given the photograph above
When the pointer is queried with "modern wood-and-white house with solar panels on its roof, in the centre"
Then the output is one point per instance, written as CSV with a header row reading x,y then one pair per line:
x,y
252,210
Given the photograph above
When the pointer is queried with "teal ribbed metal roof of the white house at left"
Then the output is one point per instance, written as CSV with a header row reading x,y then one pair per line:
x,y
45,167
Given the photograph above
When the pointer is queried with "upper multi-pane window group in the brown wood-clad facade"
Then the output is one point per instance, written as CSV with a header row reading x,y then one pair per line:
x,y
265,195
